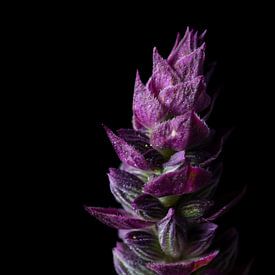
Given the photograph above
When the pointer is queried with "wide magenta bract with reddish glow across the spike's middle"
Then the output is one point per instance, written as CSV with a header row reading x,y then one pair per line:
x,y
184,180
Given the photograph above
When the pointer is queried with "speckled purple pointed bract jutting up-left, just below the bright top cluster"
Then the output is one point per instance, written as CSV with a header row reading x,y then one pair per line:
x,y
126,152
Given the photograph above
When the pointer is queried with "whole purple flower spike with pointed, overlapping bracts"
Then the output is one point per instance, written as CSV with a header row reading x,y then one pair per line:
x,y
169,173
